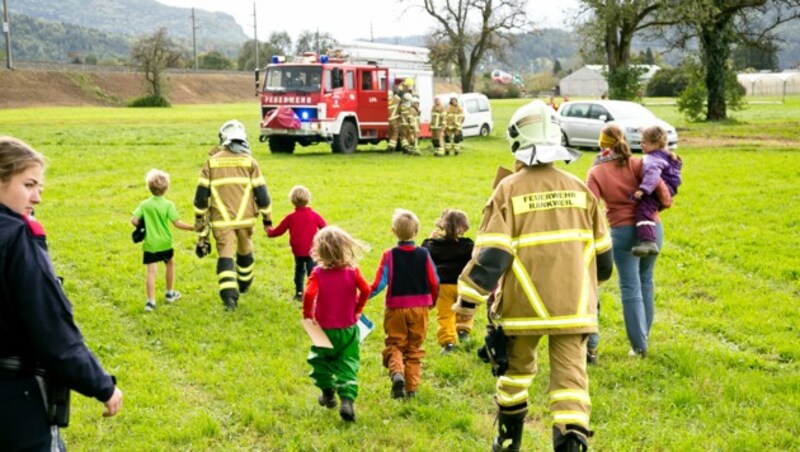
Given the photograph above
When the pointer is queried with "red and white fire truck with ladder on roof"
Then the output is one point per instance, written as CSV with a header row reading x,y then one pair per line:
x,y
340,98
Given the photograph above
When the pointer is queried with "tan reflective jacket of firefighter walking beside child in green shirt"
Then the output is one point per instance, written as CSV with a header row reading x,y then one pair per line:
x,y
231,190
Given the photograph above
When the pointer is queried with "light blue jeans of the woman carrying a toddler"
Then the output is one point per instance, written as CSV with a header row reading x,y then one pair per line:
x,y
635,284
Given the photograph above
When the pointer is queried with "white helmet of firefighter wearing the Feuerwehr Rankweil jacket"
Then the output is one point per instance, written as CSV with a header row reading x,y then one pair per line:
x,y
535,135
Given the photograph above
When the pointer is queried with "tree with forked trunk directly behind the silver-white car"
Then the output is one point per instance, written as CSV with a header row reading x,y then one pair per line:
x,y
610,28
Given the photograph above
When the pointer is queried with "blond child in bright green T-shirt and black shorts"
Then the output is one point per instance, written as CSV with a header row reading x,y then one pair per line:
x,y
157,212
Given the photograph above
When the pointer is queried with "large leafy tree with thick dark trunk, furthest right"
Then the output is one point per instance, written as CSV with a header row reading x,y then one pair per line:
x,y
717,25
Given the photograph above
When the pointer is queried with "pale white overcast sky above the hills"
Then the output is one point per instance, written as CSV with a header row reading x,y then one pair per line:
x,y
353,19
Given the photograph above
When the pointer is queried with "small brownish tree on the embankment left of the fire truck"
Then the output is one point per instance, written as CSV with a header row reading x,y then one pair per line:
x,y
154,54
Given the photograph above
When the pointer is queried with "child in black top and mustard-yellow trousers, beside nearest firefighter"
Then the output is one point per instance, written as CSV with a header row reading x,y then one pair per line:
x,y
450,252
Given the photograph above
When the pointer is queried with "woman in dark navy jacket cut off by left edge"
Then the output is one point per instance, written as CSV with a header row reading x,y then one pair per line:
x,y
41,348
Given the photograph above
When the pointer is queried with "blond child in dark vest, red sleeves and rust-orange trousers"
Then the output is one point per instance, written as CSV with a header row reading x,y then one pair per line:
x,y
410,275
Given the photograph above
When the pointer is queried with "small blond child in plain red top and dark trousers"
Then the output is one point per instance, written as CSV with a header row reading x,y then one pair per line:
x,y
302,224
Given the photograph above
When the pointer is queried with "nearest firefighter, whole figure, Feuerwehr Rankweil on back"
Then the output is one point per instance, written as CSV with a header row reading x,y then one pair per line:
x,y
542,247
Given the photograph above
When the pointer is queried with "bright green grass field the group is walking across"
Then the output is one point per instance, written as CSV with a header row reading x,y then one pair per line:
x,y
724,370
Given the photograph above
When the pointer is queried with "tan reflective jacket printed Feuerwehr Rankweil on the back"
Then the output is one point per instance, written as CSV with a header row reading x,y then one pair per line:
x,y
537,242
